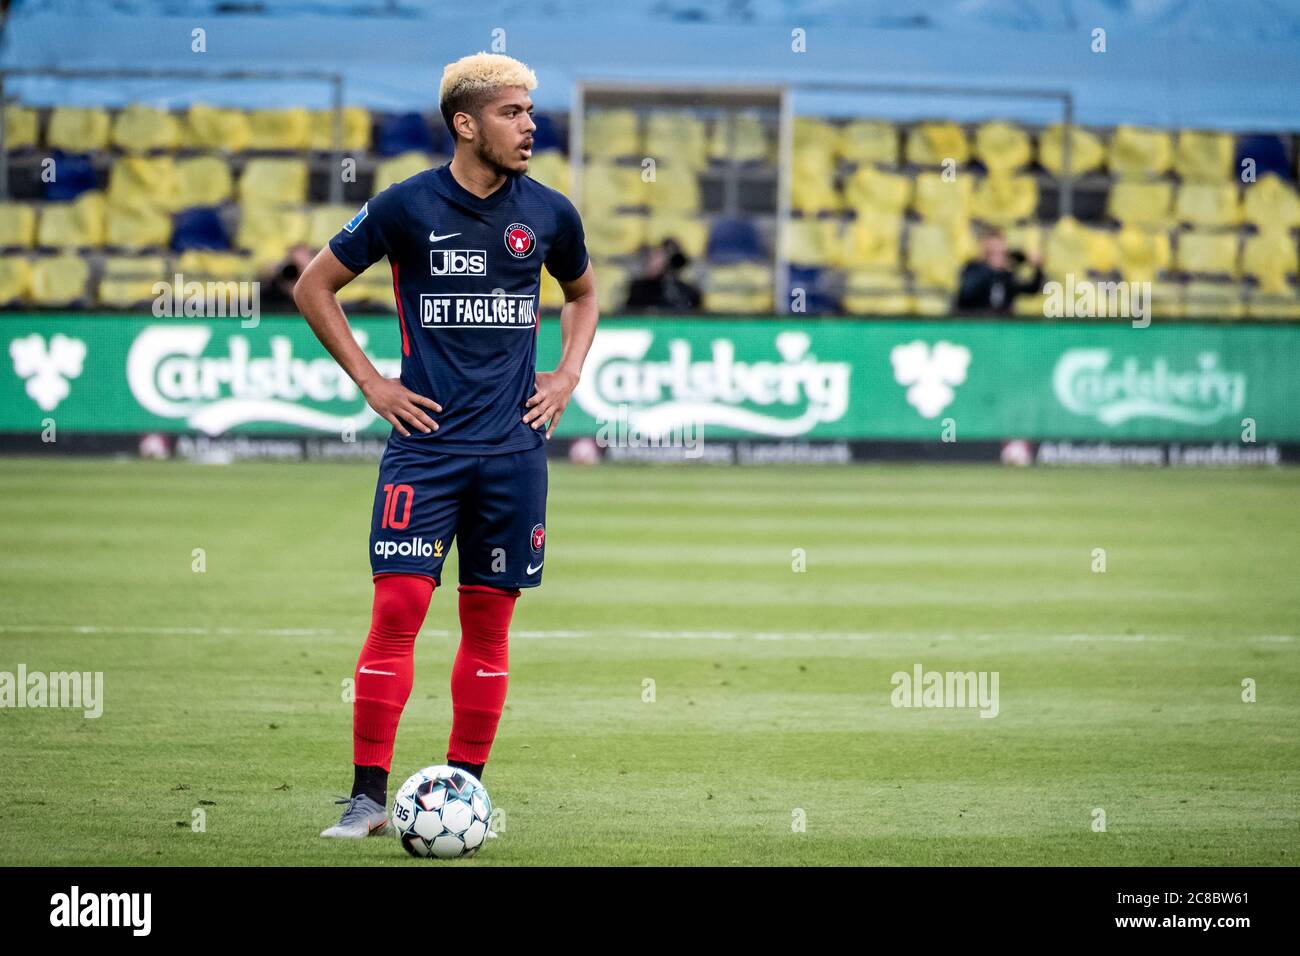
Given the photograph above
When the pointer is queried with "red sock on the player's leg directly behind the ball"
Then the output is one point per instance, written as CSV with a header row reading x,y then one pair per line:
x,y
479,676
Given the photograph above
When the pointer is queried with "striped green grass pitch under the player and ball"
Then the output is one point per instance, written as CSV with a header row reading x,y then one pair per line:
x,y
1119,691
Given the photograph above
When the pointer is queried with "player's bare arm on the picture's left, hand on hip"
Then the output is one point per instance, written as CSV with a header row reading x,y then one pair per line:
x,y
317,297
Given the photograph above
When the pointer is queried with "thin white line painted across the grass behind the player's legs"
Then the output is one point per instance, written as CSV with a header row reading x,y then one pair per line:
x,y
627,634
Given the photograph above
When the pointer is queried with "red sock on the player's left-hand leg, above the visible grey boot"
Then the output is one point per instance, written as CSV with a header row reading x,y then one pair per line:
x,y
387,667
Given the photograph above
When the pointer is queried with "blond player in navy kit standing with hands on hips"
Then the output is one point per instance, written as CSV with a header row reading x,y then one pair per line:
x,y
466,460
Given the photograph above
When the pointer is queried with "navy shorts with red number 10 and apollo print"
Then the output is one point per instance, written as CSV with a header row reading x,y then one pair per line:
x,y
492,507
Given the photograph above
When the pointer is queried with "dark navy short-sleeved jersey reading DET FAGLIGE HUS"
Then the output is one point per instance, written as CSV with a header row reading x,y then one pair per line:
x,y
467,275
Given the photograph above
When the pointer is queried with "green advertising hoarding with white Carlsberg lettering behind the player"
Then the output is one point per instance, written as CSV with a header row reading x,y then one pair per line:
x,y
759,378
